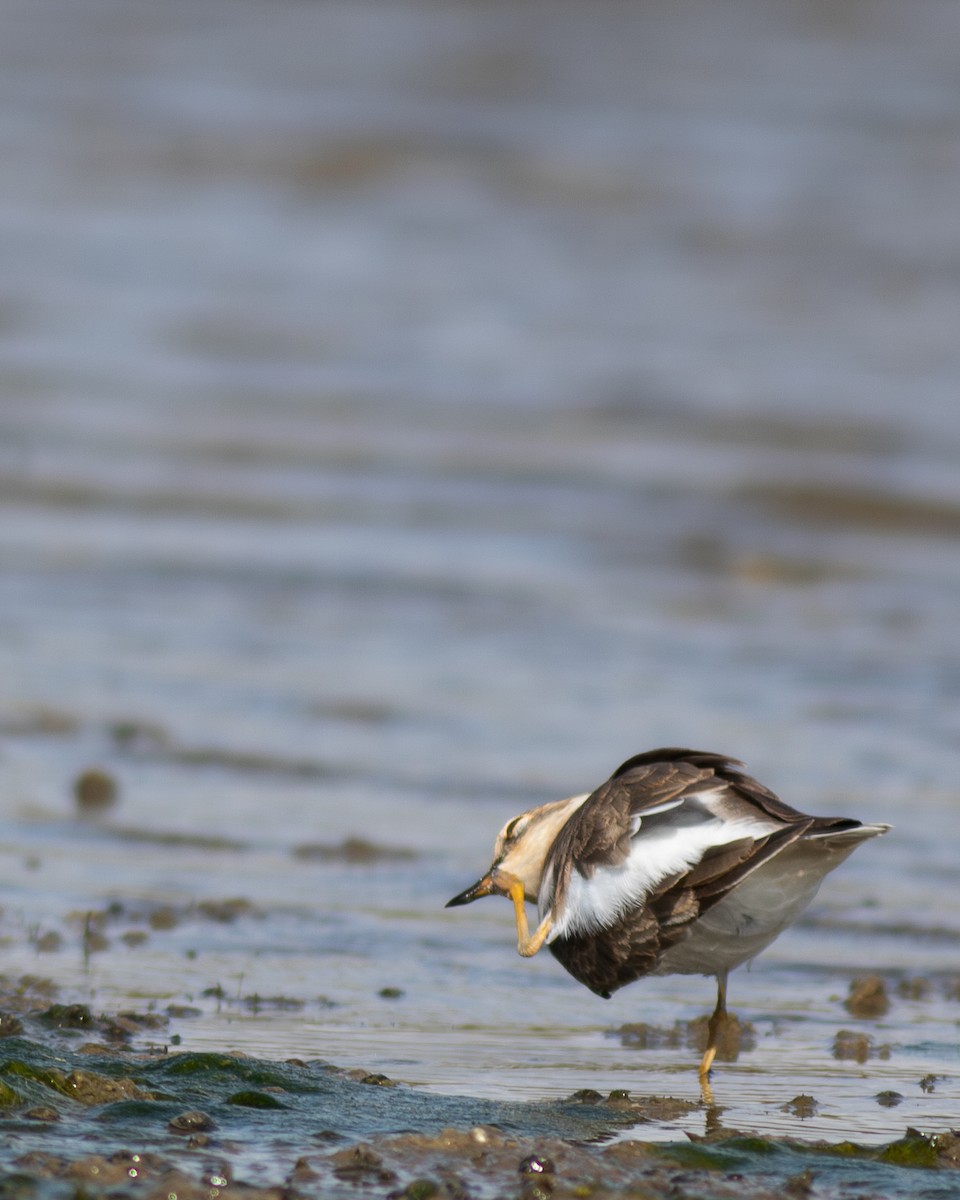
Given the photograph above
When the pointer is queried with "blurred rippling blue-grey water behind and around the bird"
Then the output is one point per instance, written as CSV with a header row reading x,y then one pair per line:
x,y
411,411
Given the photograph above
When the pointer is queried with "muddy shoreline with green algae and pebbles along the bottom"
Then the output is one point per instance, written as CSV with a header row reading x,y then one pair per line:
x,y
106,1105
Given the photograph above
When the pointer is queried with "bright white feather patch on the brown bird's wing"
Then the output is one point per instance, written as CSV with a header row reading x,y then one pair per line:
x,y
659,849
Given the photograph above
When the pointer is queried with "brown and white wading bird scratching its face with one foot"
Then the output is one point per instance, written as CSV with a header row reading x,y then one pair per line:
x,y
680,865
